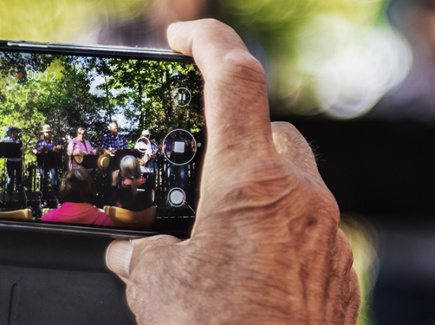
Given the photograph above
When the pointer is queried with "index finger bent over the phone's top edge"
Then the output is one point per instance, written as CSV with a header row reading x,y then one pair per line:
x,y
235,92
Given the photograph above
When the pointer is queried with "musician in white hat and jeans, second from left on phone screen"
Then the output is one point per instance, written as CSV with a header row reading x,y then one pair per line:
x,y
46,150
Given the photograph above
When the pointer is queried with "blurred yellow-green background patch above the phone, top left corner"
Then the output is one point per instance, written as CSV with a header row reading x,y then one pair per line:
x,y
60,21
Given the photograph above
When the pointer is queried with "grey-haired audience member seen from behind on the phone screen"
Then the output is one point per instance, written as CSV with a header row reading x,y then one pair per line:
x,y
132,191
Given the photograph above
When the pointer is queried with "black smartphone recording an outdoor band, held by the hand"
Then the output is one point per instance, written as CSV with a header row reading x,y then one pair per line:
x,y
95,108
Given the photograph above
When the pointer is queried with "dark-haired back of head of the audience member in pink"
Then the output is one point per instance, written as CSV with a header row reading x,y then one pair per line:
x,y
77,186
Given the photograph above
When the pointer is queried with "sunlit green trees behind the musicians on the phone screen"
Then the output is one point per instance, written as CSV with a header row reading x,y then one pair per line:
x,y
71,92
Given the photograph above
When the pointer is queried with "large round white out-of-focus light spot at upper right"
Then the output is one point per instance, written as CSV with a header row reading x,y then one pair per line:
x,y
353,66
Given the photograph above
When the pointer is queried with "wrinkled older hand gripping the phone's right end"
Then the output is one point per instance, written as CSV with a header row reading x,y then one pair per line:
x,y
265,248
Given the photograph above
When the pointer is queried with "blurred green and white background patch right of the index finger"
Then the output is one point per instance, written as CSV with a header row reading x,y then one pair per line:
x,y
338,58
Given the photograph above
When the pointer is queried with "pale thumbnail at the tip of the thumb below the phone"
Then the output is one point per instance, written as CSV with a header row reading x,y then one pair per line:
x,y
118,257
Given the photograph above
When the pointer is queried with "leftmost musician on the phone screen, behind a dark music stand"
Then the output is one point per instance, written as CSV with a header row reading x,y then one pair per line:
x,y
14,166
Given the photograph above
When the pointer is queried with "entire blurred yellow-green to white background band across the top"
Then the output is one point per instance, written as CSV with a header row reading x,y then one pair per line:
x,y
335,58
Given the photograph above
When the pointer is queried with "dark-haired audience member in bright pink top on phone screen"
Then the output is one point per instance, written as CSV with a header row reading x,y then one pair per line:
x,y
76,195
